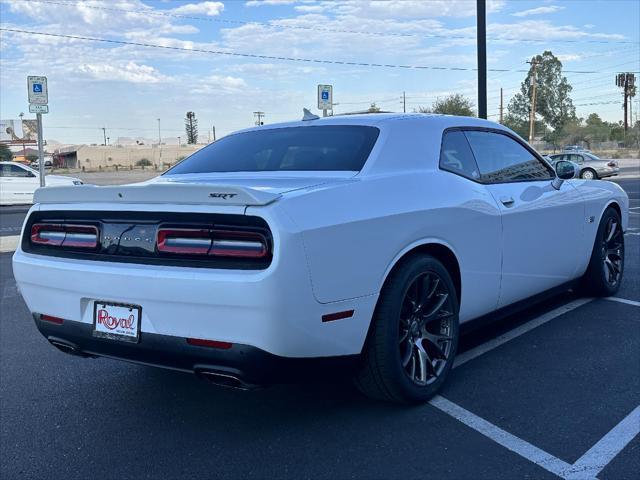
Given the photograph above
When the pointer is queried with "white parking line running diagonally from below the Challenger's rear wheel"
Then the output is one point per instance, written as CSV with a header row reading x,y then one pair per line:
x,y
502,437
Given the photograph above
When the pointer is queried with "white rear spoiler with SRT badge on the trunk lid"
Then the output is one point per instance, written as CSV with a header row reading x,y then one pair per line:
x,y
172,193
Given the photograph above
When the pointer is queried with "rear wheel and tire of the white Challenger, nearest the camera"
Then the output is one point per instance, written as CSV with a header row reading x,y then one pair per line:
x,y
406,336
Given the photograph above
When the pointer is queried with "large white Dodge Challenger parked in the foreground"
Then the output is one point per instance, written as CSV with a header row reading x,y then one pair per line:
x,y
367,239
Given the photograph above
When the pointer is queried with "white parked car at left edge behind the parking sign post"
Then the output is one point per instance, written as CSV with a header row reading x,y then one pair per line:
x,y
18,183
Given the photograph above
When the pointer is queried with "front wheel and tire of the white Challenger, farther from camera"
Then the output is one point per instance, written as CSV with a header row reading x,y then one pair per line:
x,y
606,266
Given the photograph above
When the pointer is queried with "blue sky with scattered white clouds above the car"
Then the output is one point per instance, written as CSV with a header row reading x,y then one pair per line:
x,y
127,87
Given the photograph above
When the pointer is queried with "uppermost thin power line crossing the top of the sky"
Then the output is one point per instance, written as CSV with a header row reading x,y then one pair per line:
x,y
331,30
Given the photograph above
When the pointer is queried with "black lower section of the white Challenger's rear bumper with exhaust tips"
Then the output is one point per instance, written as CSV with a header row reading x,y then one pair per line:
x,y
244,366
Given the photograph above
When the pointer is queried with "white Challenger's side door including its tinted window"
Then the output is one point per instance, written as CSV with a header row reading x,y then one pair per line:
x,y
541,226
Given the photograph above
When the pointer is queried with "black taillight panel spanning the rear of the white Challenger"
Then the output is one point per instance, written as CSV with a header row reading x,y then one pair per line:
x,y
160,238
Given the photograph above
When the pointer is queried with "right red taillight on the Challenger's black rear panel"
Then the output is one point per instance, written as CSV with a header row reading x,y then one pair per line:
x,y
212,242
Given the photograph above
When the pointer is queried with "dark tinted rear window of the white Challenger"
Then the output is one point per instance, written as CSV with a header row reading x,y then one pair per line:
x,y
325,148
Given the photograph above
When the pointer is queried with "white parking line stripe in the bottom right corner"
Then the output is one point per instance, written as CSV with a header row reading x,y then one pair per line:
x,y
599,456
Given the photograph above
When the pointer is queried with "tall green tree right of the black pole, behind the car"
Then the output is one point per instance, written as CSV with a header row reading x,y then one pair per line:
x,y
553,103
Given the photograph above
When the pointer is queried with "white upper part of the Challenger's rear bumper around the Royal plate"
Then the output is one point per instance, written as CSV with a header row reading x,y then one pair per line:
x,y
273,310
